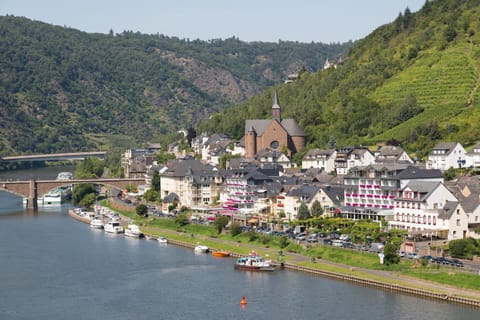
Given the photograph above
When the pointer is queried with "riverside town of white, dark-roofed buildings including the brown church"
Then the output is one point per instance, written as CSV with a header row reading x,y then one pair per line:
x,y
260,187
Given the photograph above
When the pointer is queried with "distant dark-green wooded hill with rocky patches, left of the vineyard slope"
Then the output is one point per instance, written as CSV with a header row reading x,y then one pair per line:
x,y
66,90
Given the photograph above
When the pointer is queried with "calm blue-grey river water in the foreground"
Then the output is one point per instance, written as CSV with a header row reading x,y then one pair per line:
x,y
53,267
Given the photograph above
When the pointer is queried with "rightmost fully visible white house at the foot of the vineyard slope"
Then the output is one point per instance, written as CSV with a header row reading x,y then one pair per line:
x,y
446,155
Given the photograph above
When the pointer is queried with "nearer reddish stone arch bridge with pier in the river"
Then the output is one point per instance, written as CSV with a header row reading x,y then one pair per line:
x,y
33,189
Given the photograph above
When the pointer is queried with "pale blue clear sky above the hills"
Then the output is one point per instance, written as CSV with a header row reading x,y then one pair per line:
x,y
326,21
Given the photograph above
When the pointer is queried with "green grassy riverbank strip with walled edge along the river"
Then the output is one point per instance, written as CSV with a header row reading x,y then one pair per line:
x,y
379,279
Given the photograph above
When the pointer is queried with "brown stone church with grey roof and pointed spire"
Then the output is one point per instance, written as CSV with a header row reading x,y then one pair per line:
x,y
276,134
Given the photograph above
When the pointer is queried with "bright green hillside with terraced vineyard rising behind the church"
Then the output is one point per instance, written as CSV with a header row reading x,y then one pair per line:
x,y
415,80
